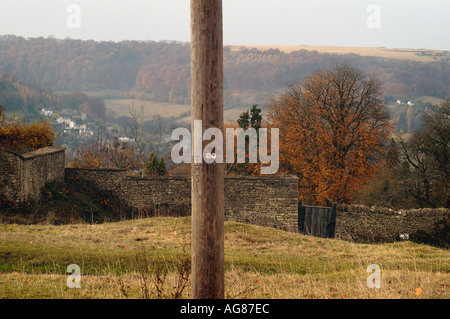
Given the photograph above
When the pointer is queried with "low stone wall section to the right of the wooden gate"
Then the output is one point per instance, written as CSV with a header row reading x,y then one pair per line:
x,y
377,224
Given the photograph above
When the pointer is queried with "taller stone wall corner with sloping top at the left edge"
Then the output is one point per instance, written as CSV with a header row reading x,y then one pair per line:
x,y
22,176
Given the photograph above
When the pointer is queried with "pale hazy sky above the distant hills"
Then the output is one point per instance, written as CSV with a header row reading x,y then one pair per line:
x,y
388,23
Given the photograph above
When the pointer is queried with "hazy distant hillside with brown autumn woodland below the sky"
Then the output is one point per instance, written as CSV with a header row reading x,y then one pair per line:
x,y
160,71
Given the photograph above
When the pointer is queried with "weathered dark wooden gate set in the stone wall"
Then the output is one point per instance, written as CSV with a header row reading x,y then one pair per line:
x,y
317,221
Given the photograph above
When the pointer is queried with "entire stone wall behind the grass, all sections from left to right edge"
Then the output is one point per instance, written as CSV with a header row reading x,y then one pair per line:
x,y
267,201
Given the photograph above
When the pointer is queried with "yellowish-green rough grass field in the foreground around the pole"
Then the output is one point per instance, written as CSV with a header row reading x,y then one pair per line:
x,y
260,263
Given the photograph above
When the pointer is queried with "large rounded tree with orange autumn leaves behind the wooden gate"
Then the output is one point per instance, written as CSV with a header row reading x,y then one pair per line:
x,y
333,131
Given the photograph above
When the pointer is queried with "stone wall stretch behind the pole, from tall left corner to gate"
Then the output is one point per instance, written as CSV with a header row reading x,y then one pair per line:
x,y
267,201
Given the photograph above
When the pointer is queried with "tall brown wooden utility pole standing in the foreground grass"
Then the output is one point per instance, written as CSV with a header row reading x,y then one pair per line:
x,y
207,179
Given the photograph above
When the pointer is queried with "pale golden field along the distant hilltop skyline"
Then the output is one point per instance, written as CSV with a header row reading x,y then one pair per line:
x,y
422,55
